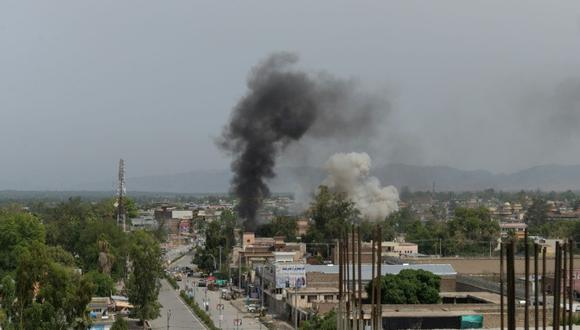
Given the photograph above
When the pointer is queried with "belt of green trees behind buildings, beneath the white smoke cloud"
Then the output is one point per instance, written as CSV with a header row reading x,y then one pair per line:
x,y
470,231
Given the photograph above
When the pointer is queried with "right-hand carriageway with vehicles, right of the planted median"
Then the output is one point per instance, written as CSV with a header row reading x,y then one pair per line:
x,y
230,313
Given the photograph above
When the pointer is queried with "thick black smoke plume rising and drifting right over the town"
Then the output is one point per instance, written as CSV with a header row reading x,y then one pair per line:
x,y
283,105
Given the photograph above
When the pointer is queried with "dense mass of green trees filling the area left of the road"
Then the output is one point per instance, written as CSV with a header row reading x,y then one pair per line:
x,y
54,259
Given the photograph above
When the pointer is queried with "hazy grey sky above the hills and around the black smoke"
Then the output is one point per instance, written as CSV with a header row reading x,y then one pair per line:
x,y
473,84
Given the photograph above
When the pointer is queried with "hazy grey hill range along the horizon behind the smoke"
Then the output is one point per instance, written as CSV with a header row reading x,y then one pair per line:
x,y
547,177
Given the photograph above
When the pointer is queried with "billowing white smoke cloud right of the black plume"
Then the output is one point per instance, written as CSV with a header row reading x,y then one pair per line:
x,y
349,173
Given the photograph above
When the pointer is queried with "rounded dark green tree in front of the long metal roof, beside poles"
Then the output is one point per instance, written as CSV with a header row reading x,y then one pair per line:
x,y
409,287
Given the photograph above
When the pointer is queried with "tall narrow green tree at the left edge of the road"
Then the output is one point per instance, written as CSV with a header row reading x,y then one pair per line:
x,y
143,283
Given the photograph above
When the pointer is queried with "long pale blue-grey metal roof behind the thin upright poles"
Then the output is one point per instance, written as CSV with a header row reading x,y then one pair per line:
x,y
437,269
